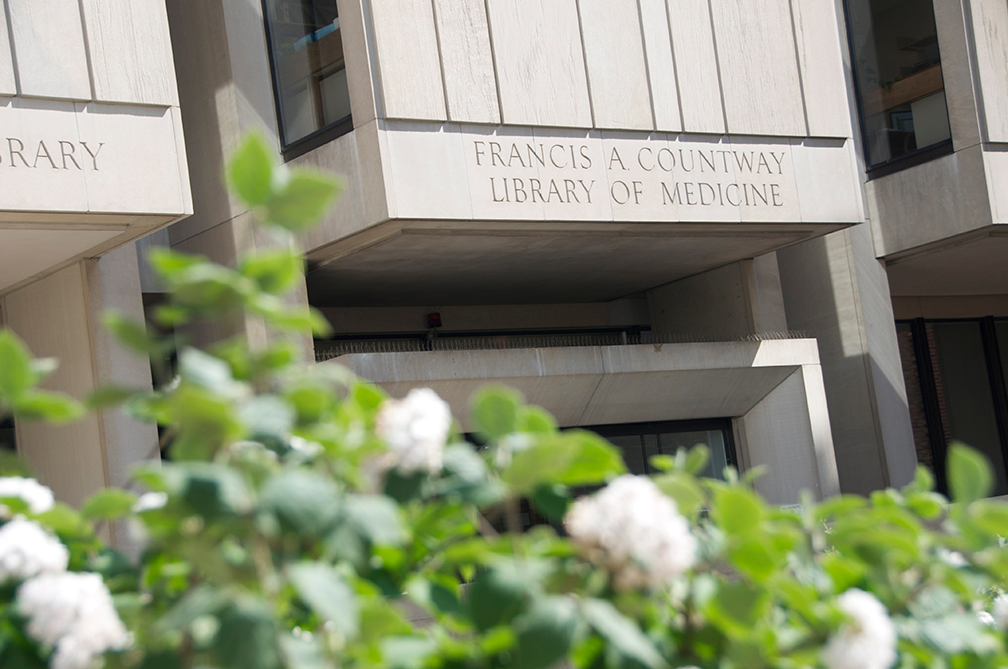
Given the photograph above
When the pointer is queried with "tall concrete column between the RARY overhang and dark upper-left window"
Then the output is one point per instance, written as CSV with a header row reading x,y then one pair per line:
x,y
225,92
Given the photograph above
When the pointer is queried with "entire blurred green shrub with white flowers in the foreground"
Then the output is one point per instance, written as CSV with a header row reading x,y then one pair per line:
x,y
303,515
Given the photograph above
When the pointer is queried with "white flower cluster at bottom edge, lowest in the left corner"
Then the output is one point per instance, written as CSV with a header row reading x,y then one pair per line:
x,y
73,614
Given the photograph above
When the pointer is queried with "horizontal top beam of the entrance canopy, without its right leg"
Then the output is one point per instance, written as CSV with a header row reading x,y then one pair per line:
x,y
602,385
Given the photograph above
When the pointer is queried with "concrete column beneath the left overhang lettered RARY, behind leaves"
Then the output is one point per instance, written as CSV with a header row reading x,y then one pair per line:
x,y
60,317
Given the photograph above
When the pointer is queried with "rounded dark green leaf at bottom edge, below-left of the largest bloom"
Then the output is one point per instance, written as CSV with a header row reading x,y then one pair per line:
x,y
546,633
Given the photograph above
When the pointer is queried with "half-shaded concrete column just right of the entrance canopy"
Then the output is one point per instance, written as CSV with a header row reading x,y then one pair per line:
x,y
836,291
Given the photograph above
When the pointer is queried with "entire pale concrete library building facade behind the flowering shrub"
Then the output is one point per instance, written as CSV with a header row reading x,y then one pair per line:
x,y
664,220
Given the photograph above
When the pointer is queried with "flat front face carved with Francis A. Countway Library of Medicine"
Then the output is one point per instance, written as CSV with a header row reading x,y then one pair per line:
x,y
515,174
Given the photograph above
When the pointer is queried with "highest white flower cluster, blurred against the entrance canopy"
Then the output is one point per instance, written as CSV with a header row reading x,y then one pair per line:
x,y
416,429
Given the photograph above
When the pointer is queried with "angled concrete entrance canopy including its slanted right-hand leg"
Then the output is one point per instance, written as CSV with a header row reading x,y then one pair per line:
x,y
625,384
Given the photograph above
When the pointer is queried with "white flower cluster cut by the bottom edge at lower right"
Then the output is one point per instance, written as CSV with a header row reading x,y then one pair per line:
x,y
867,641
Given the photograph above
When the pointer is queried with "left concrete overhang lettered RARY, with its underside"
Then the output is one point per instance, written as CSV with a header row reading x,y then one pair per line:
x,y
81,179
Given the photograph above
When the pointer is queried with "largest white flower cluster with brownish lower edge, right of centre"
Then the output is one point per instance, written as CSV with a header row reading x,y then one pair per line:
x,y
636,530
